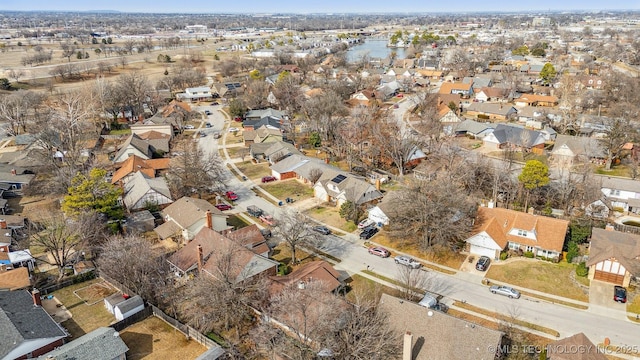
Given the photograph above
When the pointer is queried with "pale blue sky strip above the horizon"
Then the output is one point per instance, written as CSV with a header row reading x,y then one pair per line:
x,y
307,6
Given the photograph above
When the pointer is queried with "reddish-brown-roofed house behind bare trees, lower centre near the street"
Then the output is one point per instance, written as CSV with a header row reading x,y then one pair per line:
x,y
320,271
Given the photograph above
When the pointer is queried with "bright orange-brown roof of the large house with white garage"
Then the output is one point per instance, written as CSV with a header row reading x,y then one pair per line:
x,y
550,233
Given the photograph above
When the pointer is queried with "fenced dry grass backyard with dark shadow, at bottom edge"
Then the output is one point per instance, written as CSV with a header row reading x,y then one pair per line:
x,y
152,339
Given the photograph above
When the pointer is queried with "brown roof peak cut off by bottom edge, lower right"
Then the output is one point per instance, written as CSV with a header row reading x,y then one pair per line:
x,y
585,349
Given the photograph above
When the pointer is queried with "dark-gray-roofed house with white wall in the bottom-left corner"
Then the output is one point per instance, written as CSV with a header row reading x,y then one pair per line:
x,y
27,330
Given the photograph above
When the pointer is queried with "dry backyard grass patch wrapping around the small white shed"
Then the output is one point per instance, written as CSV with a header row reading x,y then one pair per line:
x,y
85,318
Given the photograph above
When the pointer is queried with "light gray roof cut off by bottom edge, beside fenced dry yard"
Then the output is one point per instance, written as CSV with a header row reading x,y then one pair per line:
x,y
103,343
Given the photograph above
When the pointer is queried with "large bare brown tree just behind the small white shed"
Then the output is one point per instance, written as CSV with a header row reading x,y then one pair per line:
x,y
131,261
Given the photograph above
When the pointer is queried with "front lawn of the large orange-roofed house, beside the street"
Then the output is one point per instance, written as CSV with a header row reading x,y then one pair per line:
x,y
541,276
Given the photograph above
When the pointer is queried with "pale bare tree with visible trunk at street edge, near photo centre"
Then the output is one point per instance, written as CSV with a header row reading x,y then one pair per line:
x,y
295,229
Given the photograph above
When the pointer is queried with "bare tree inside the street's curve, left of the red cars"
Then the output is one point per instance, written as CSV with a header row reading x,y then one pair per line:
x,y
193,171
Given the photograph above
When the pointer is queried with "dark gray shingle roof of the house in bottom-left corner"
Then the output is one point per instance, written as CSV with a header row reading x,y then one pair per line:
x,y
21,321
